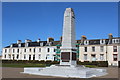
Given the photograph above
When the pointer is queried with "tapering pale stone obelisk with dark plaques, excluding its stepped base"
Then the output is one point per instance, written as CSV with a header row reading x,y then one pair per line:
x,y
68,48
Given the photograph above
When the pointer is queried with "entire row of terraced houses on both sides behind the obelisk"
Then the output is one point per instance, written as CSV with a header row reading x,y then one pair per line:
x,y
89,50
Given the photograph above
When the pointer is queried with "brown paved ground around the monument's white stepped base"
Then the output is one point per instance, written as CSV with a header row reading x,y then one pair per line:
x,y
9,72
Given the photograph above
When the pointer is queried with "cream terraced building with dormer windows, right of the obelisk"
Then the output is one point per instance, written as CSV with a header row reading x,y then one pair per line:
x,y
100,50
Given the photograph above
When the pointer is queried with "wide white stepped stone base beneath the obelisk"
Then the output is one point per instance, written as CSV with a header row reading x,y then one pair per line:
x,y
66,71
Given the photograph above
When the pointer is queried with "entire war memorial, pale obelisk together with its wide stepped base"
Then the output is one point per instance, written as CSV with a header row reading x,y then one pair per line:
x,y
67,66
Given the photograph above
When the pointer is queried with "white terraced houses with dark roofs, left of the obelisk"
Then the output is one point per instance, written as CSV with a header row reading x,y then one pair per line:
x,y
39,50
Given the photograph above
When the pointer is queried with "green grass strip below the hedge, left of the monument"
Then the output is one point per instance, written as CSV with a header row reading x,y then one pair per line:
x,y
21,65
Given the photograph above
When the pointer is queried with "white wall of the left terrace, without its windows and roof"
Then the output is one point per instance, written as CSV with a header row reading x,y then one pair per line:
x,y
21,53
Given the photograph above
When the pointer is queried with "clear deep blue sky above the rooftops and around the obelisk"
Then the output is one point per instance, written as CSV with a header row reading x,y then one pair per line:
x,y
33,20
